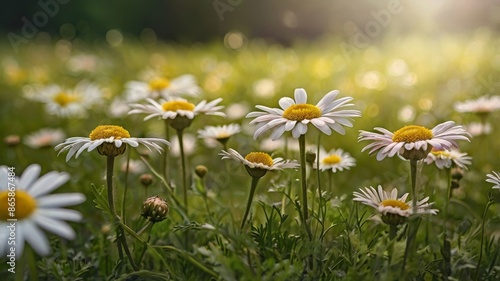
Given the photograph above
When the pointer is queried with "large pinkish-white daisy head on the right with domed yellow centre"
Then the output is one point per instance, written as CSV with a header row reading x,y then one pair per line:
x,y
413,142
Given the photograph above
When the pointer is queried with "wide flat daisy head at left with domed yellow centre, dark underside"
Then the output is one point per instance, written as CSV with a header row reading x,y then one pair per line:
x,y
109,140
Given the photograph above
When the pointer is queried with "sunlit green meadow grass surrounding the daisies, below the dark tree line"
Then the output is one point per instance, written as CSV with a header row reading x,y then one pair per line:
x,y
396,81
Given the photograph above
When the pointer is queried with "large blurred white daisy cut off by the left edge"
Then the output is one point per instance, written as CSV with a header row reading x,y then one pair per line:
x,y
40,210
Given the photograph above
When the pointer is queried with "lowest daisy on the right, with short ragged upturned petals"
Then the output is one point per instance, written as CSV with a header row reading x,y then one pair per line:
x,y
394,210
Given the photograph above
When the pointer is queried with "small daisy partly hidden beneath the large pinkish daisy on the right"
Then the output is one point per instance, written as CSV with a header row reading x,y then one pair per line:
x,y
447,158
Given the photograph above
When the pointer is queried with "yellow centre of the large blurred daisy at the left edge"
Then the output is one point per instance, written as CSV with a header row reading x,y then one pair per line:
x,y
24,205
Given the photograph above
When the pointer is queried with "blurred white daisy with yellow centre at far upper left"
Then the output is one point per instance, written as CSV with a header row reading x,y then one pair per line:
x,y
67,102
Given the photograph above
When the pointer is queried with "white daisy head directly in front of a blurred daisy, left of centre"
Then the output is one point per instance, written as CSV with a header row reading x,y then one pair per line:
x,y
180,110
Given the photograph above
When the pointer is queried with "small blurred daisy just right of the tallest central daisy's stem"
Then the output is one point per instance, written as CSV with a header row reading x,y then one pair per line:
x,y
335,160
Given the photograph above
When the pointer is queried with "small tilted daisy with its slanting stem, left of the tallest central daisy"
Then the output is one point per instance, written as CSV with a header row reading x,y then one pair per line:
x,y
257,165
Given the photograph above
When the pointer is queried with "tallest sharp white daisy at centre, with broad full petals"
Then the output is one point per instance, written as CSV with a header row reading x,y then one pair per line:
x,y
295,115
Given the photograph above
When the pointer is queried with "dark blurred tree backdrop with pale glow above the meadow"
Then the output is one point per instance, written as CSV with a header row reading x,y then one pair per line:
x,y
283,21
